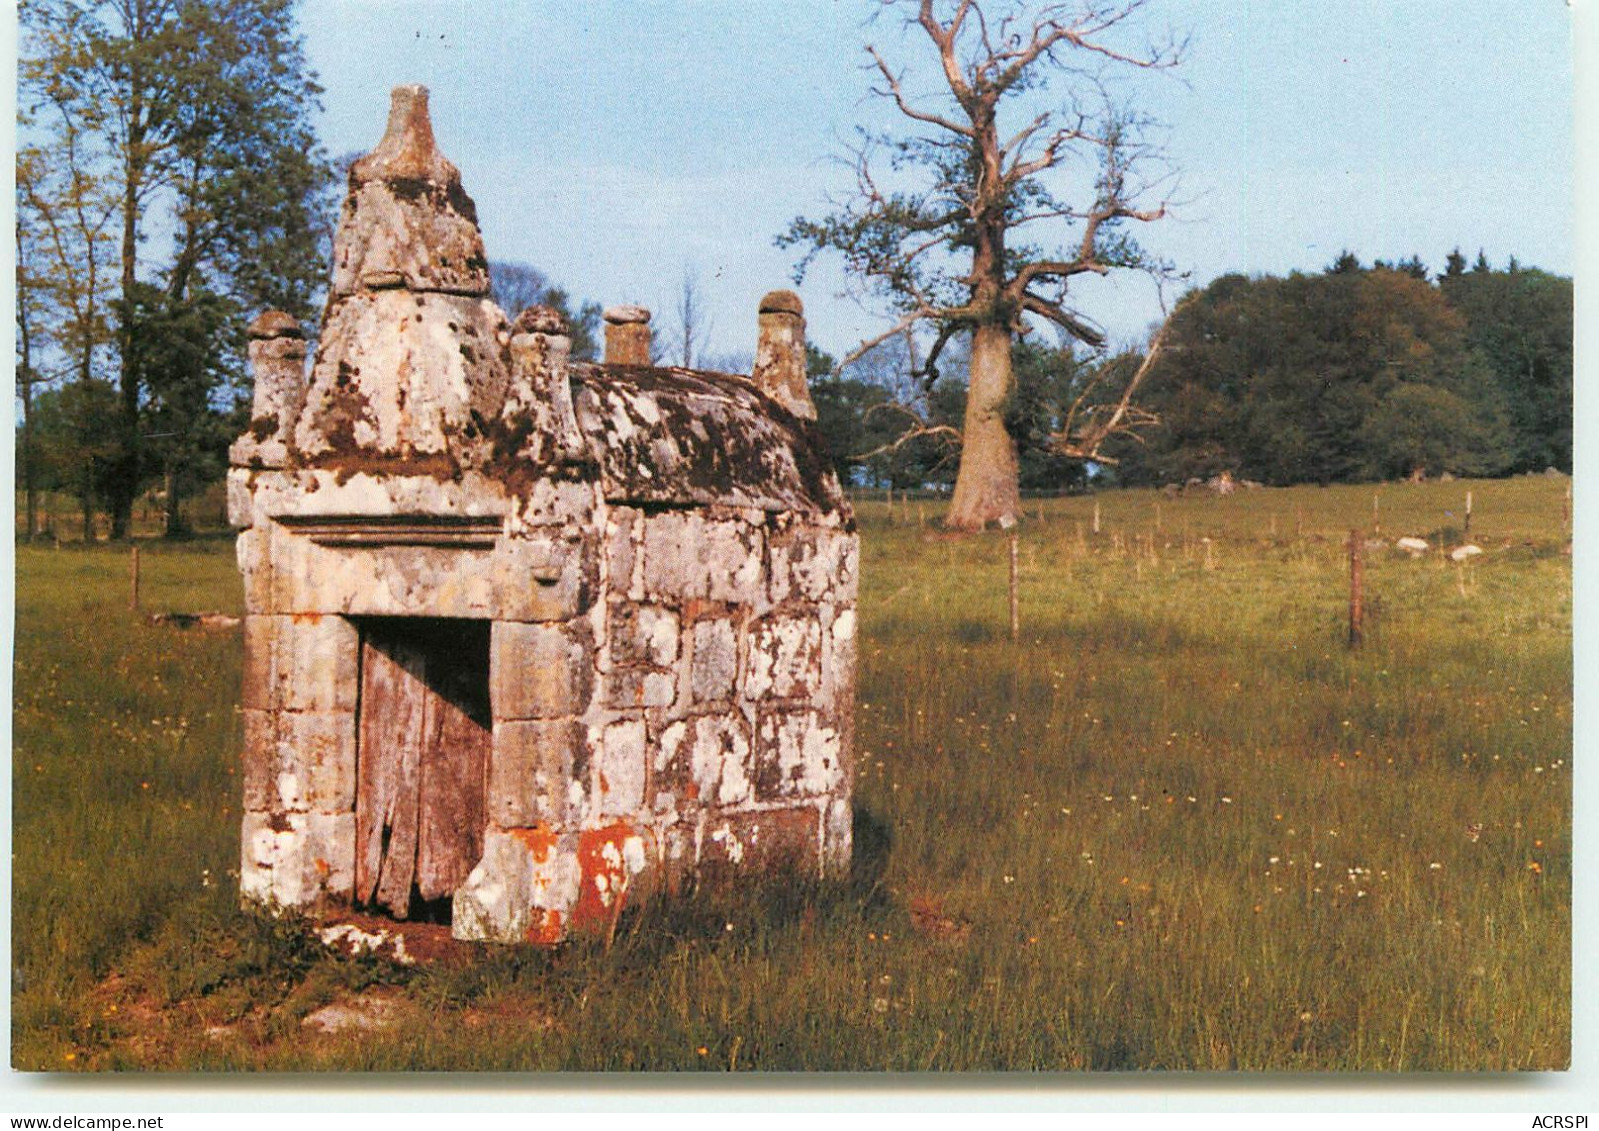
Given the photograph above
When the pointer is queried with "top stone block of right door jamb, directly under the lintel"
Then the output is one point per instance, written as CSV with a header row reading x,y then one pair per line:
x,y
540,671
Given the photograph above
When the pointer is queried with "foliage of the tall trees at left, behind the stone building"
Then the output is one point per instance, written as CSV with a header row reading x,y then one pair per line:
x,y
178,186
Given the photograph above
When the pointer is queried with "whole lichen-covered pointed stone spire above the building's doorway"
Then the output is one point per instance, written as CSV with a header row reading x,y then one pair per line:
x,y
413,353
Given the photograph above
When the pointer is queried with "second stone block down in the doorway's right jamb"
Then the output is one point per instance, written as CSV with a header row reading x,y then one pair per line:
x,y
536,773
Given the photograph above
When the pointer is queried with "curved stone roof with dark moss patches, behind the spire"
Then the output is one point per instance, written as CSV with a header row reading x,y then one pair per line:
x,y
684,438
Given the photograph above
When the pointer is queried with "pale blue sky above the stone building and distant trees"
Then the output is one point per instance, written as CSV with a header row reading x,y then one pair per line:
x,y
616,146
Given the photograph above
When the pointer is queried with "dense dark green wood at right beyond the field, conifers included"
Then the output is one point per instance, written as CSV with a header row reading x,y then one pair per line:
x,y
1363,375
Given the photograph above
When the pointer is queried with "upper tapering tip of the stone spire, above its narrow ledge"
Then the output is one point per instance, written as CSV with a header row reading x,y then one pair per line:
x,y
407,222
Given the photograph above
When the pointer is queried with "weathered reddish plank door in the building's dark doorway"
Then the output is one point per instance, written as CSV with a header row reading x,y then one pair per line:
x,y
423,759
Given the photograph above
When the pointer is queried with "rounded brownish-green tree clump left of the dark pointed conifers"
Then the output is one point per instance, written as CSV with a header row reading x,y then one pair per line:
x,y
1342,377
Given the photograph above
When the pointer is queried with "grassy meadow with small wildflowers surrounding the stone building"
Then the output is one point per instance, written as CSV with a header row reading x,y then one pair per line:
x,y
1178,826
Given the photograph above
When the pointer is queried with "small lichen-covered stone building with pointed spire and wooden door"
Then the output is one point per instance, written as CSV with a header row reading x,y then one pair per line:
x,y
528,637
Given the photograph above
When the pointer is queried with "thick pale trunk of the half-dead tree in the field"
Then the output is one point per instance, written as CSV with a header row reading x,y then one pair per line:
x,y
986,487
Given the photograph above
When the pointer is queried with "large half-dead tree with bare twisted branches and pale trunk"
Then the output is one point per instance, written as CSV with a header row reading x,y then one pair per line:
x,y
954,247
